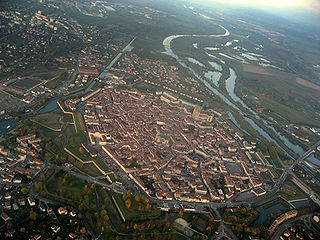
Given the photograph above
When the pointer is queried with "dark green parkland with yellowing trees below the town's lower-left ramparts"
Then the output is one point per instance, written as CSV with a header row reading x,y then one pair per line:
x,y
95,204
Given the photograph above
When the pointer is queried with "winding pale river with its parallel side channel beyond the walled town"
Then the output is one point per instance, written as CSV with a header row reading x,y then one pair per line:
x,y
230,86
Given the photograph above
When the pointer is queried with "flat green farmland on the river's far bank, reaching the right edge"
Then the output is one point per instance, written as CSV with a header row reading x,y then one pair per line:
x,y
283,98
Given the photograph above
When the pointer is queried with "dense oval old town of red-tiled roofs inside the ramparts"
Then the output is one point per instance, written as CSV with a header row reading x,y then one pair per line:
x,y
170,148
